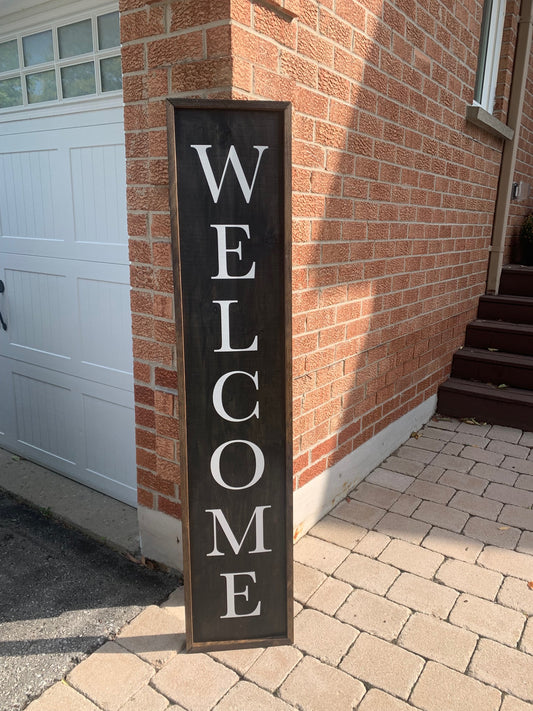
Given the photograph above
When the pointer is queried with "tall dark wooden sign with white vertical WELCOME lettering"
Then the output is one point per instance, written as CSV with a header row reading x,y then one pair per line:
x,y
230,205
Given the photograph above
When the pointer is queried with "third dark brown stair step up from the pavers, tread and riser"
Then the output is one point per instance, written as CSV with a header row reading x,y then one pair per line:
x,y
508,337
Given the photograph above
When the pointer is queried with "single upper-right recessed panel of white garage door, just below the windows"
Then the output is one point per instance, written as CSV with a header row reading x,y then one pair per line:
x,y
99,211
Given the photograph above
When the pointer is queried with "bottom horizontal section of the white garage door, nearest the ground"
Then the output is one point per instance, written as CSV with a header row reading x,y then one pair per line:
x,y
79,428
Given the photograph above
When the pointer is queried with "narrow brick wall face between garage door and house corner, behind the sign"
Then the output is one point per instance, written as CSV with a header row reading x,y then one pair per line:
x,y
167,48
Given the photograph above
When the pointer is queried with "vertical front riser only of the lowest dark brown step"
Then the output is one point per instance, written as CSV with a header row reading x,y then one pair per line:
x,y
460,405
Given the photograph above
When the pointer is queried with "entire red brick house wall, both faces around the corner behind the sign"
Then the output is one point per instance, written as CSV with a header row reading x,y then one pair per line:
x,y
392,204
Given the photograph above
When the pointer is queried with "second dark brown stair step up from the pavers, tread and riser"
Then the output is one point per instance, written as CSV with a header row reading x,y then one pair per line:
x,y
493,367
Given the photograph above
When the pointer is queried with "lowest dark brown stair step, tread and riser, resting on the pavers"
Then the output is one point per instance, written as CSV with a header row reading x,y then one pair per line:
x,y
511,407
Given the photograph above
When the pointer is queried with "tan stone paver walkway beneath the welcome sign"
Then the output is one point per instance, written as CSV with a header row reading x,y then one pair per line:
x,y
414,593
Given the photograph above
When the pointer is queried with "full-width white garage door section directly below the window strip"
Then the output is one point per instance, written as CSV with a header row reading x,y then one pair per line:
x,y
69,188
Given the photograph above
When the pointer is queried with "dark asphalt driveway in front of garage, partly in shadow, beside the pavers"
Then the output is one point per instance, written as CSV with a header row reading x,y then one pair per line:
x,y
62,595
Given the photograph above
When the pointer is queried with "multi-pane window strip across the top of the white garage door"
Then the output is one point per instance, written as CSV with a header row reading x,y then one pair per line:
x,y
65,61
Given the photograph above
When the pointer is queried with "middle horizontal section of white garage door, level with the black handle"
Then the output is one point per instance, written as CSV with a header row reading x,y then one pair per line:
x,y
77,322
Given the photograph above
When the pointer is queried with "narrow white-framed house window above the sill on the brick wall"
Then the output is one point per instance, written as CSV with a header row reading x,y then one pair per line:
x,y
490,45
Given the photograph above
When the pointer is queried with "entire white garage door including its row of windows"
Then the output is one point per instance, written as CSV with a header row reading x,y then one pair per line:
x,y
66,397
